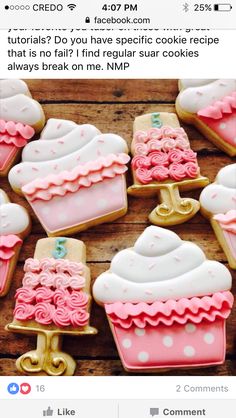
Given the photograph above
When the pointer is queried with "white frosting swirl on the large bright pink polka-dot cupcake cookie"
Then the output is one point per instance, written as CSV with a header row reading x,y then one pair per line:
x,y
160,266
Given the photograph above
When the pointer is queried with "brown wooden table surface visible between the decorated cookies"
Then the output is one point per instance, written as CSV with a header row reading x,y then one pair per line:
x,y
112,106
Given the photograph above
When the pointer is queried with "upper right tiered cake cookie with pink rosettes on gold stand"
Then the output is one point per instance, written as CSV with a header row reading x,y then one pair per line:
x,y
163,163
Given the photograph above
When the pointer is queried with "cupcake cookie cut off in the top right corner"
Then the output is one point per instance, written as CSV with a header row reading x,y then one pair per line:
x,y
210,107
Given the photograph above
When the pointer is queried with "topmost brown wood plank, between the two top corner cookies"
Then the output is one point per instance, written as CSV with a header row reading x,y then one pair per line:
x,y
104,90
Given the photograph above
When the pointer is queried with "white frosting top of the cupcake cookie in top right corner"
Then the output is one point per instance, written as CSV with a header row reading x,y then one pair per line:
x,y
193,99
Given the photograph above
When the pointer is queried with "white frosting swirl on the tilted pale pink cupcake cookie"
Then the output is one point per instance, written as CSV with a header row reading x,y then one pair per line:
x,y
77,151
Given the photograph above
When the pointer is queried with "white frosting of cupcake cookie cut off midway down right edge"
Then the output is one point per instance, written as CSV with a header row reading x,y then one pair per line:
x,y
220,197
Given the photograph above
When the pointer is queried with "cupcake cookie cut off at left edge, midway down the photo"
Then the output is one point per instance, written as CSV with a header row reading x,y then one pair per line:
x,y
14,227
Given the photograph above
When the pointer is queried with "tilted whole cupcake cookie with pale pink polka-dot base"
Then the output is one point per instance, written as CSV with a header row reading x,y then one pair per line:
x,y
73,177
